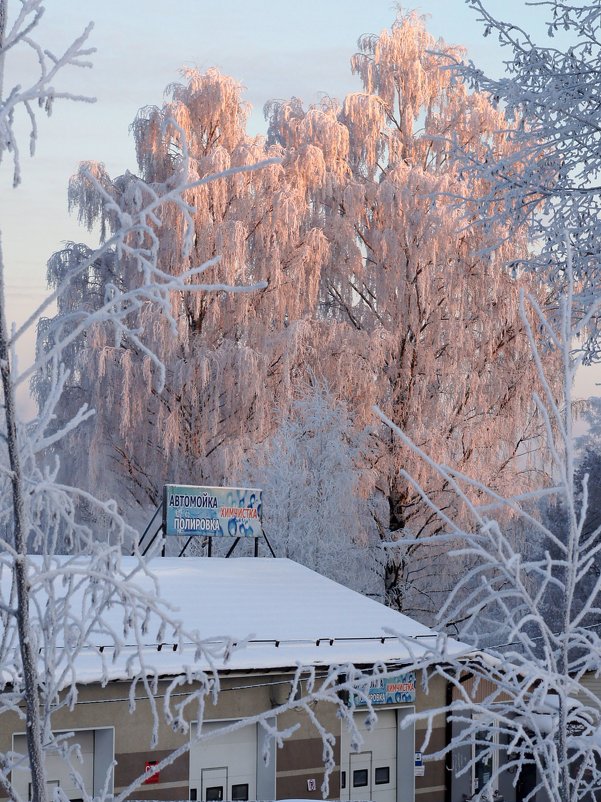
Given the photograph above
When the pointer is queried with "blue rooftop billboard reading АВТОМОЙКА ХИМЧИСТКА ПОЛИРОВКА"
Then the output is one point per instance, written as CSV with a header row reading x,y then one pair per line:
x,y
213,511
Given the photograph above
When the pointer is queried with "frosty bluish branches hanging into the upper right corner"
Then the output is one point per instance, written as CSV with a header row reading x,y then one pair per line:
x,y
549,178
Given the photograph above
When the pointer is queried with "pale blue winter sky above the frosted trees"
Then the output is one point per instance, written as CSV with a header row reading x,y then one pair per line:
x,y
275,48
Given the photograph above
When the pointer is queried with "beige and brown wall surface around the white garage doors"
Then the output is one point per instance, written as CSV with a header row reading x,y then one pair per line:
x,y
299,760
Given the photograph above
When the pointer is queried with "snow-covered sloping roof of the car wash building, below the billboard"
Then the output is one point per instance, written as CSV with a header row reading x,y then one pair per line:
x,y
289,615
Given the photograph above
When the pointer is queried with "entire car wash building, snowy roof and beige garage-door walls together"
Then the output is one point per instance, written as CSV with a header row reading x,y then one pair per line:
x,y
299,618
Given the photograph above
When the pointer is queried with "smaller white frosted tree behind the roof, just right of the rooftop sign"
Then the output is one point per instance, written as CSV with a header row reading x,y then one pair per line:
x,y
312,471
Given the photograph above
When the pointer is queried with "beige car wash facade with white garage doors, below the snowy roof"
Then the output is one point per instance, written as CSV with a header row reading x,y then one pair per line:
x,y
229,764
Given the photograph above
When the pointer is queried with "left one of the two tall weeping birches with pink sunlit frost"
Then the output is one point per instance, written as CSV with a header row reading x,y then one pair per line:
x,y
230,364
